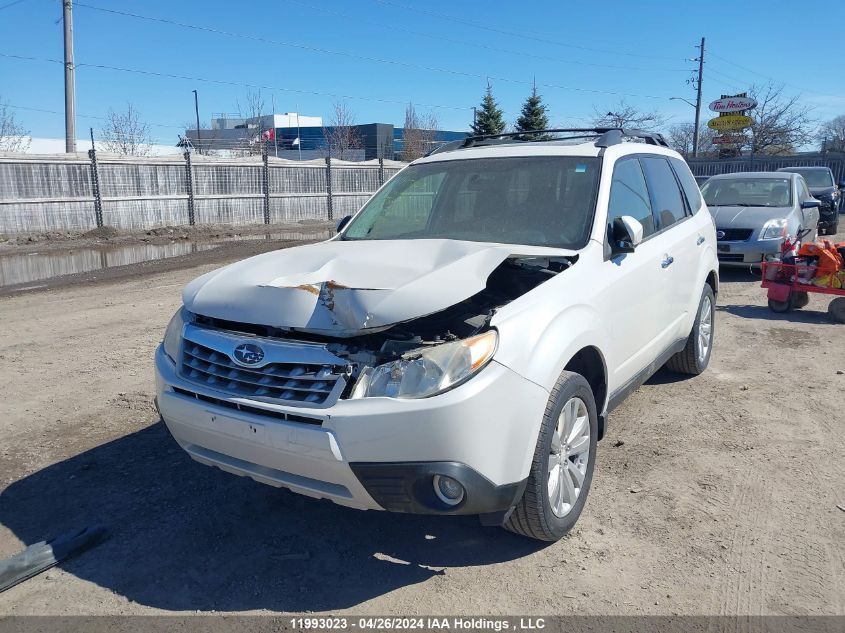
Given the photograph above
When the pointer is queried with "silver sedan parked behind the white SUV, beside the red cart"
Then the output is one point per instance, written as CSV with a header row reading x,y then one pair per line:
x,y
755,211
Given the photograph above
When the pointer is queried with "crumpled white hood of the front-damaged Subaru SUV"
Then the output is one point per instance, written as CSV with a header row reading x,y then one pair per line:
x,y
345,288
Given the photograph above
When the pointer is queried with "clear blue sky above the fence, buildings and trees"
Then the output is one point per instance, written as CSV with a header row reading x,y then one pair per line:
x,y
378,55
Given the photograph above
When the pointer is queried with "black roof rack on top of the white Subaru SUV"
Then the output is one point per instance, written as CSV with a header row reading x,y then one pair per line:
x,y
605,137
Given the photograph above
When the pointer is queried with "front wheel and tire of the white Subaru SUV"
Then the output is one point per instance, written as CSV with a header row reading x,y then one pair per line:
x,y
534,515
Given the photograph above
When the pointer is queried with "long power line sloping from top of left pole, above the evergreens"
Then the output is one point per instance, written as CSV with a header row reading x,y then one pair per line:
x,y
394,62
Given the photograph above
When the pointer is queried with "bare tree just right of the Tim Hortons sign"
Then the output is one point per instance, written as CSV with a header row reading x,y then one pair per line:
x,y
781,124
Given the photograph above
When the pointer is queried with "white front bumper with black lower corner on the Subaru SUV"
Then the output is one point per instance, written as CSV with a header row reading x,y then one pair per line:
x,y
483,433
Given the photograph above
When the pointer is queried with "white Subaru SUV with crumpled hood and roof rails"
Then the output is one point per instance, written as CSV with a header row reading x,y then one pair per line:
x,y
457,347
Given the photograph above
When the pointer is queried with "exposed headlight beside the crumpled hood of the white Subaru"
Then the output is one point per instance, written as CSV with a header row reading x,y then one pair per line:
x,y
429,371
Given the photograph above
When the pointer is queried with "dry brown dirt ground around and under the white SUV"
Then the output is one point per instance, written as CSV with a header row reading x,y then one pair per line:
x,y
712,495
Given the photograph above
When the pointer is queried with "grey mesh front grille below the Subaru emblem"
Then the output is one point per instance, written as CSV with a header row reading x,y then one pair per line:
x,y
289,382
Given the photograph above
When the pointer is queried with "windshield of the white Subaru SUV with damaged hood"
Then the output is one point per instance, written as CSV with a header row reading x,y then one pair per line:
x,y
538,201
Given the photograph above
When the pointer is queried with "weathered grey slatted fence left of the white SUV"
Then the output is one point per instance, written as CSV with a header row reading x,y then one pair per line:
x,y
78,192
